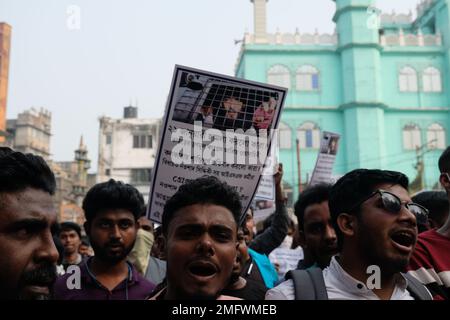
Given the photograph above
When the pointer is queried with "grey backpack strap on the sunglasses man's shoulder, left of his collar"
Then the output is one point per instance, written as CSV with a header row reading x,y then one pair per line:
x,y
308,284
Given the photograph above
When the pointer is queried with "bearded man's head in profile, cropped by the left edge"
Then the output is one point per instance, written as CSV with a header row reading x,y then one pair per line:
x,y
27,221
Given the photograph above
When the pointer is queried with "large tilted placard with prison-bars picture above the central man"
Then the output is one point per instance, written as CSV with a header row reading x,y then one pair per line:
x,y
214,125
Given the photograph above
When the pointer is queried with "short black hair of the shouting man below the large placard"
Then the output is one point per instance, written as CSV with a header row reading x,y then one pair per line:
x,y
204,190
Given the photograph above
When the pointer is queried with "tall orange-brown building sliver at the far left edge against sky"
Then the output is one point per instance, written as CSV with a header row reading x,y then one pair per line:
x,y
5,45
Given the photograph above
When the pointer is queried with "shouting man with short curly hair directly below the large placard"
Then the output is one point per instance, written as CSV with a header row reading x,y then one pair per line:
x,y
200,226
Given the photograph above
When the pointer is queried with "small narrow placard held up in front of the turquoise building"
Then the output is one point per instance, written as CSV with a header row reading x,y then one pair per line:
x,y
324,165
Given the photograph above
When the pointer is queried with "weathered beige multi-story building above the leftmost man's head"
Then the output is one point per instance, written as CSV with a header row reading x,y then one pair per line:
x,y
30,132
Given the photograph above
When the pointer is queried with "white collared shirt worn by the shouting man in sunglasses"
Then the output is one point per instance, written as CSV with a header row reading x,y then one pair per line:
x,y
341,286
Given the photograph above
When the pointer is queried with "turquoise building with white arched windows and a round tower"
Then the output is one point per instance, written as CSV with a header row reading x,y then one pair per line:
x,y
381,81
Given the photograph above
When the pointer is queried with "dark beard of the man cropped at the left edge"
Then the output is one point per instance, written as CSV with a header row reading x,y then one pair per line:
x,y
43,276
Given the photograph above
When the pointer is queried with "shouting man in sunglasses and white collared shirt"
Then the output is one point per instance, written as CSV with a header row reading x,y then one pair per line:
x,y
375,224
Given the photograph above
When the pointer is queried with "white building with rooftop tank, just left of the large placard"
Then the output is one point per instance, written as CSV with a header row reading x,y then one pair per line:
x,y
127,149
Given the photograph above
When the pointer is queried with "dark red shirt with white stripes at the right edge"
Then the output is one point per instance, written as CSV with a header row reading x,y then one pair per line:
x,y
430,263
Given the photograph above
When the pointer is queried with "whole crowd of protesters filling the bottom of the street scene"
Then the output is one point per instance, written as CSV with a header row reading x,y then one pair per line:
x,y
363,238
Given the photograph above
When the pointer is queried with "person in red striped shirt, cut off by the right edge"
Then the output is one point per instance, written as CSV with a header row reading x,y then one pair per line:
x,y
430,262
